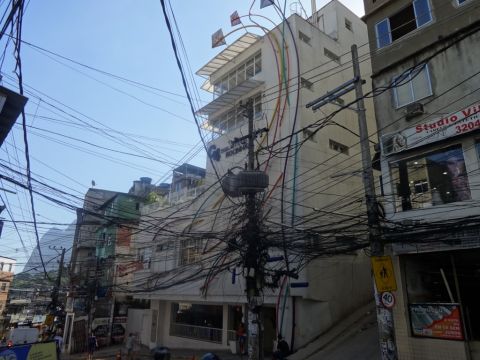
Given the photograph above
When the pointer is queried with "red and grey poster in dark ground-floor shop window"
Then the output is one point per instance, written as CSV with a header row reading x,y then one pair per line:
x,y
440,321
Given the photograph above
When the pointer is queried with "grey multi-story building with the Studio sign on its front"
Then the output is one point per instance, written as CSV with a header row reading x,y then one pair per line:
x,y
425,79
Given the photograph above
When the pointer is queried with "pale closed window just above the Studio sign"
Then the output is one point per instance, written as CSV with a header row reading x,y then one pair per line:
x,y
412,86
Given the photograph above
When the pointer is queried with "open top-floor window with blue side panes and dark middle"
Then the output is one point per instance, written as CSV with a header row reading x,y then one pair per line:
x,y
412,17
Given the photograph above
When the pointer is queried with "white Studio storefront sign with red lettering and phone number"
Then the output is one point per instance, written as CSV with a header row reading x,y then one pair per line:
x,y
460,122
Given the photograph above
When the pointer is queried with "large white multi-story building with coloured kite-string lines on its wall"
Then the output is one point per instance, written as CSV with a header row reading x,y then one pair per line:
x,y
194,281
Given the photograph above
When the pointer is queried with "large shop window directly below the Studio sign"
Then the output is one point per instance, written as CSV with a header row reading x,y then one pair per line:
x,y
436,178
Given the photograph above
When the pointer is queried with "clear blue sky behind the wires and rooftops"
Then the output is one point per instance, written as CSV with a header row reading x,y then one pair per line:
x,y
87,125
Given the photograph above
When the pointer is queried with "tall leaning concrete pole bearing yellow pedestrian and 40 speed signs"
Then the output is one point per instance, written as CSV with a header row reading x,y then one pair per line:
x,y
386,329
